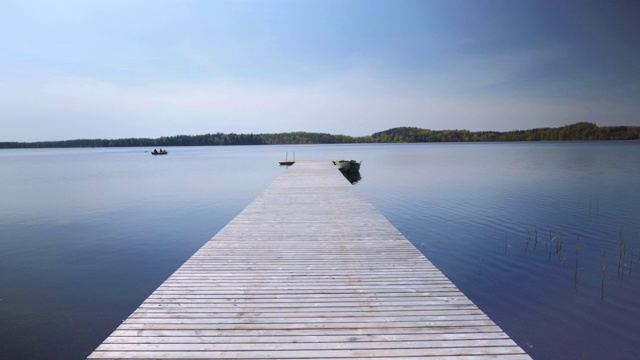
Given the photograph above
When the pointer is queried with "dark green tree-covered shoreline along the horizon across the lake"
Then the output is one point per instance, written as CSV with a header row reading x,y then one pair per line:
x,y
578,131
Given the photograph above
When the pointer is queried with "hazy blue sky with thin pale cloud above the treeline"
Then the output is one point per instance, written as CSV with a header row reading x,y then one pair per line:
x,y
135,68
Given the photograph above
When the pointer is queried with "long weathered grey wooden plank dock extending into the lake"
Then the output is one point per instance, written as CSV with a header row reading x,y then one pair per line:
x,y
310,269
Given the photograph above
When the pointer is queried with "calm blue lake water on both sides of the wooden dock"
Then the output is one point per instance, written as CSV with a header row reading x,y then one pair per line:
x,y
544,237
